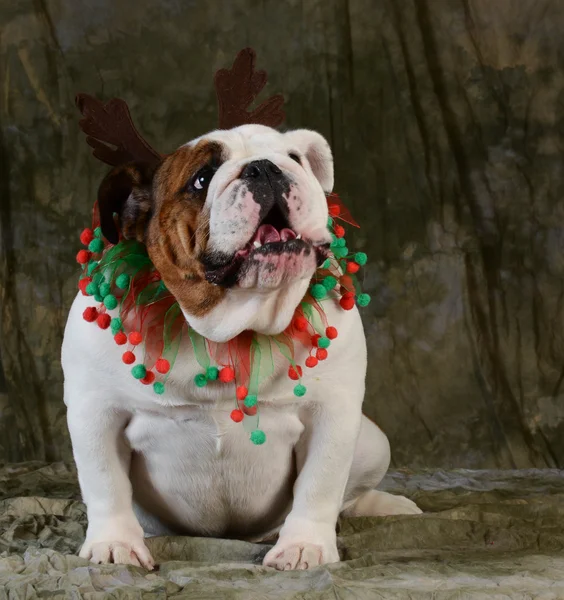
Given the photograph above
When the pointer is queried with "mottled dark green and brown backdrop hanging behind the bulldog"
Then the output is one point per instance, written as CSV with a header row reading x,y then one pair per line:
x,y
446,120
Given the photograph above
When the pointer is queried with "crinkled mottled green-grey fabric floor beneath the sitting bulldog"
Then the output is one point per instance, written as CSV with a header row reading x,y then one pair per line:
x,y
484,534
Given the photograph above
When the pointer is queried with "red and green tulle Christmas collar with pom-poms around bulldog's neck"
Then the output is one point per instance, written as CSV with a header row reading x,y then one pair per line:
x,y
145,319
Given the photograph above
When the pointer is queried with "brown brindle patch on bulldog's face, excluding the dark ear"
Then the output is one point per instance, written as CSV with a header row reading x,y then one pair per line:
x,y
178,231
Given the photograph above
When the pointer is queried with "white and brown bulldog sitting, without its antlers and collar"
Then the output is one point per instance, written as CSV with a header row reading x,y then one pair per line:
x,y
236,224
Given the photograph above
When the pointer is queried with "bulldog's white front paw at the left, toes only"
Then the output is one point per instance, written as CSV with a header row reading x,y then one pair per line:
x,y
125,549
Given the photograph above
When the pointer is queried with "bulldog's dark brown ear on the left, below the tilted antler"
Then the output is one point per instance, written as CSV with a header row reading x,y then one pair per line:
x,y
125,200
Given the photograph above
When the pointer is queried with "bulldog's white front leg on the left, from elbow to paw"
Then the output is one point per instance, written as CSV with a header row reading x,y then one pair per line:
x,y
102,458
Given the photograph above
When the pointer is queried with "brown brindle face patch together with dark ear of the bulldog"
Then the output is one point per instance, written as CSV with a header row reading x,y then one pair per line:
x,y
157,207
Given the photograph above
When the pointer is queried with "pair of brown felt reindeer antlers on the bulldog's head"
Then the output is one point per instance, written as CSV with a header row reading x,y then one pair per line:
x,y
115,140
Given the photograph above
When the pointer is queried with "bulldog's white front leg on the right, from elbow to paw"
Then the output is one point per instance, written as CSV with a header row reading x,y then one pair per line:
x,y
308,536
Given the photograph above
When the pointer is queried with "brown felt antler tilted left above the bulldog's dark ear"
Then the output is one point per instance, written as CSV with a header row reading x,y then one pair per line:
x,y
110,124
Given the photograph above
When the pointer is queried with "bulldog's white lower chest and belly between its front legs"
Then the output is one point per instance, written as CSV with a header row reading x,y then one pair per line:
x,y
198,472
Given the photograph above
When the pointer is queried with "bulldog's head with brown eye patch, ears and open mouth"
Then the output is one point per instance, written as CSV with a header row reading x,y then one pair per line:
x,y
235,221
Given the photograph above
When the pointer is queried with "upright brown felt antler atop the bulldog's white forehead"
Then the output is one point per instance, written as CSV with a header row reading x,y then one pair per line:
x,y
238,87
